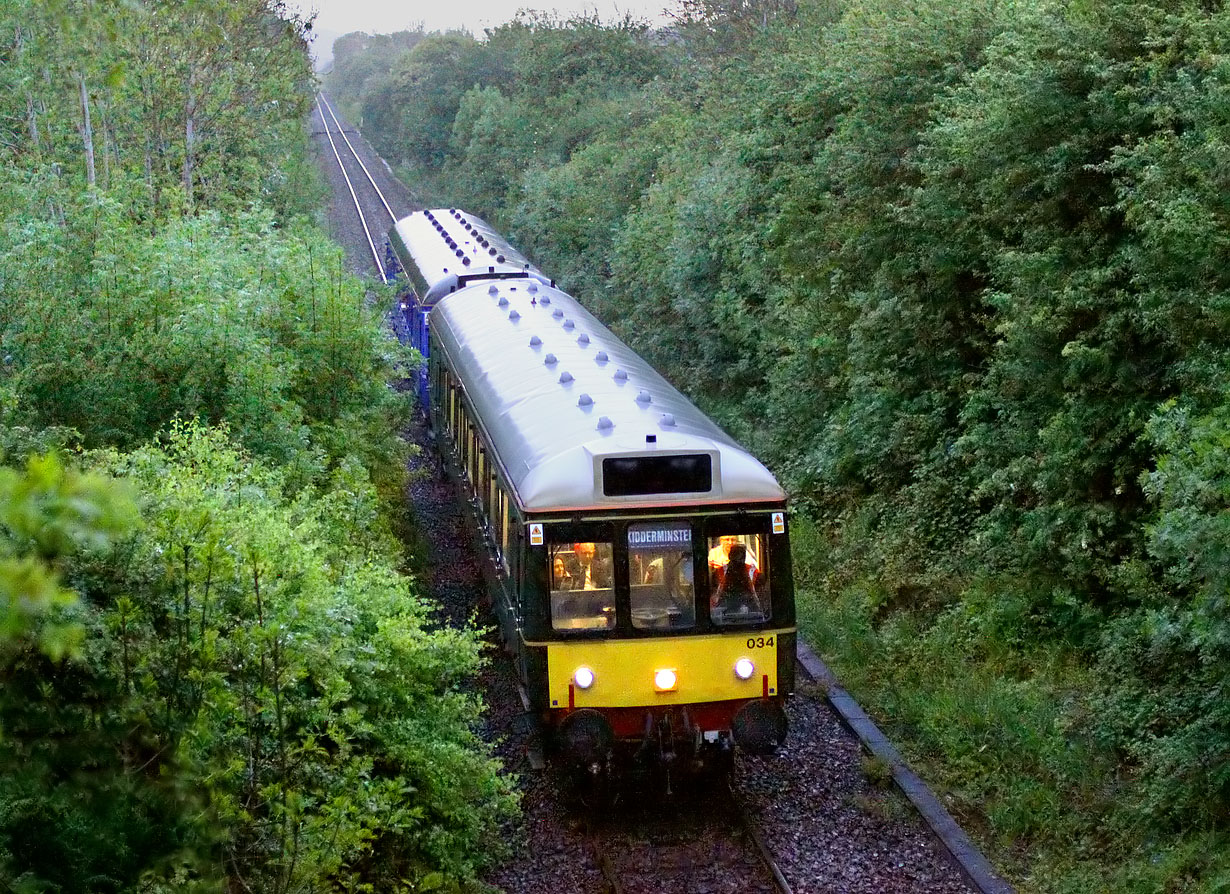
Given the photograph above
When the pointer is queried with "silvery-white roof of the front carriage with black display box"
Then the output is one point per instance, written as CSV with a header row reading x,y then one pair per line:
x,y
559,395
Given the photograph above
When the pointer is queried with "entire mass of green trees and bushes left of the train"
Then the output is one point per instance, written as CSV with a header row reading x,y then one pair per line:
x,y
213,672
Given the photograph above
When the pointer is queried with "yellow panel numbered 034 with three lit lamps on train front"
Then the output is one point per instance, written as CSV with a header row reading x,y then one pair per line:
x,y
624,670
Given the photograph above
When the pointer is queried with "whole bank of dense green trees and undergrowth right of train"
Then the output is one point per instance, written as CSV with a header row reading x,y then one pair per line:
x,y
960,272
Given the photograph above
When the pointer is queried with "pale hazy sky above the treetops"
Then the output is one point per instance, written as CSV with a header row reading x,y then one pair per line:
x,y
338,18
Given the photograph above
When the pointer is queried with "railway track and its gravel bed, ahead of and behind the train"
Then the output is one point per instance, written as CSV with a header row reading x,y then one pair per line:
x,y
806,821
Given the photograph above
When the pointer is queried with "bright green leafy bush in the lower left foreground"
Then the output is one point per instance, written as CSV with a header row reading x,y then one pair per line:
x,y
263,702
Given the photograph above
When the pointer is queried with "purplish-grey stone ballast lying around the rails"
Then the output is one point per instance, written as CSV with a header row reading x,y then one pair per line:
x,y
827,826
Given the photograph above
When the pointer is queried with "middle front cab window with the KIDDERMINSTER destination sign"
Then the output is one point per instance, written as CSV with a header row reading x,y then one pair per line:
x,y
660,559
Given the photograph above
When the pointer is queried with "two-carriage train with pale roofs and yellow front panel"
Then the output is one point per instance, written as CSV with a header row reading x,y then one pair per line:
x,y
639,558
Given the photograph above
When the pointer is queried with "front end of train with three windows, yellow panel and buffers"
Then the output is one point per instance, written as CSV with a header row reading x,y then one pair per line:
x,y
637,651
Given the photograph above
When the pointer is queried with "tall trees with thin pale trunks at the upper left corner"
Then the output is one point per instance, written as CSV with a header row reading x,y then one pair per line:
x,y
172,104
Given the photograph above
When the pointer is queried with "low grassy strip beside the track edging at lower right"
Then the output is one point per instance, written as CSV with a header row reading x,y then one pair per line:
x,y
1004,730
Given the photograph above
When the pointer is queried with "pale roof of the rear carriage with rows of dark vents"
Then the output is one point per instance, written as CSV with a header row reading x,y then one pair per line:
x,y
442,250
